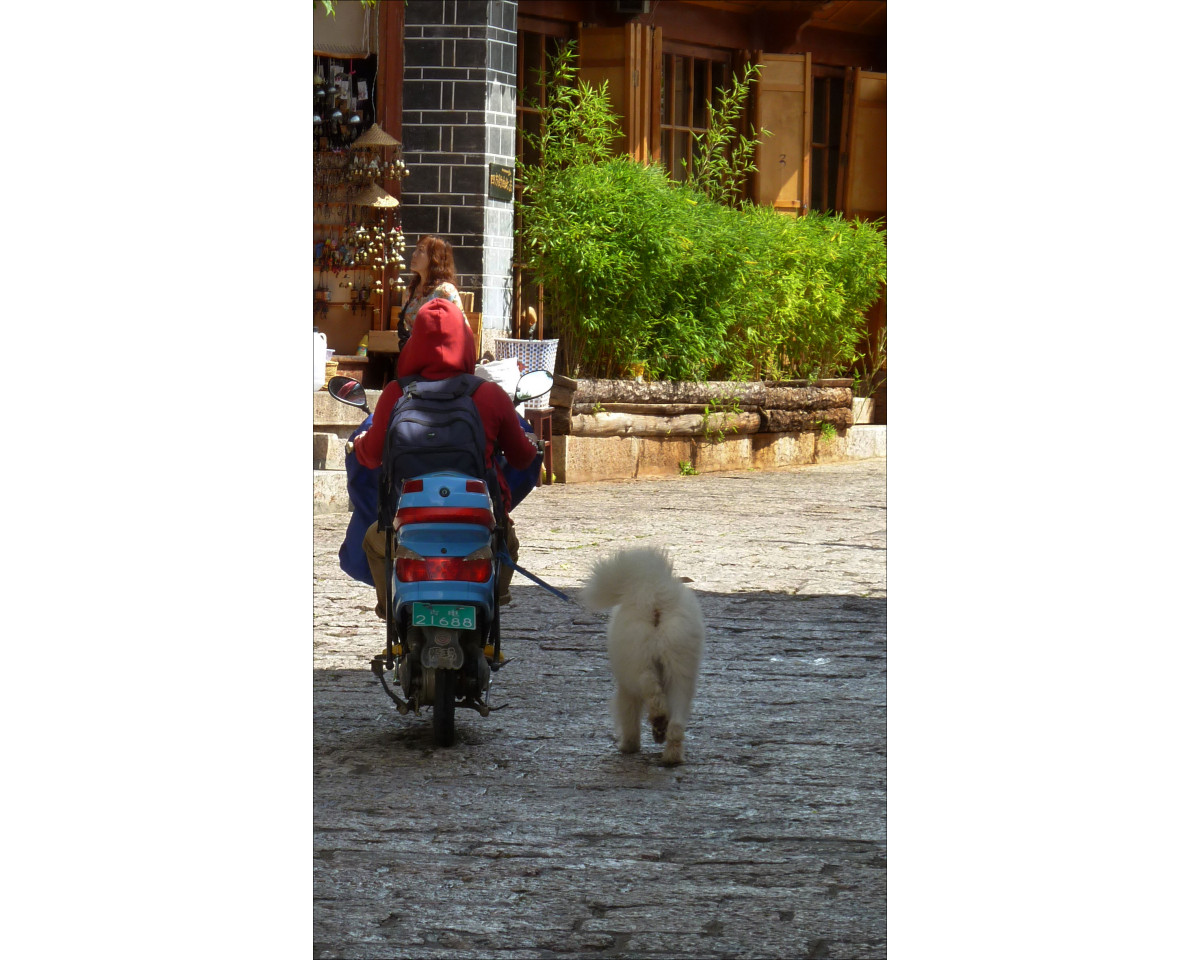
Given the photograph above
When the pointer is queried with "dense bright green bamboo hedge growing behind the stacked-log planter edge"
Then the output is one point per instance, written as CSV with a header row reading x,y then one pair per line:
x,y
644,272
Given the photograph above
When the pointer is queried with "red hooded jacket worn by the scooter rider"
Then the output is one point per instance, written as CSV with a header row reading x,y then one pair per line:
x,y
442,346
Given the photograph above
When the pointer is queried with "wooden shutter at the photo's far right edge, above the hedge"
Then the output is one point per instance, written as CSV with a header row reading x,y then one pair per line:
x,y
867,148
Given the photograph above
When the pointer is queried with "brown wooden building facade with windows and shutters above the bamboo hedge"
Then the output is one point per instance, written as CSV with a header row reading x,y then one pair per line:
x,y
823,91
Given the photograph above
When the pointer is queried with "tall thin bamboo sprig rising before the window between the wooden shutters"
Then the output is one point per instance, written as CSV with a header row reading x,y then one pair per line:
x,y
722,158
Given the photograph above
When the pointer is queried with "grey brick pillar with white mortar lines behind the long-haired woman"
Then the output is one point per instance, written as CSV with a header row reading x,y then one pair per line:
x,y
460,116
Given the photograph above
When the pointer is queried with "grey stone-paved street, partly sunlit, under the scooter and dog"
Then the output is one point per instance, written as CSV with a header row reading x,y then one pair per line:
x,y
535,838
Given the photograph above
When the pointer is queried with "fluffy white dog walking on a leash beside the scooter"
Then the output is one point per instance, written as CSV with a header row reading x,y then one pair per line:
x,y
656,644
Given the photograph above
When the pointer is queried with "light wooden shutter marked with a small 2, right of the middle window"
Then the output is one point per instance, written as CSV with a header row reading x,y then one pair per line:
x,y
784,106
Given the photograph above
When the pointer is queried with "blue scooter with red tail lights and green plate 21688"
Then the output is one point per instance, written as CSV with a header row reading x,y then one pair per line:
x,y
443,625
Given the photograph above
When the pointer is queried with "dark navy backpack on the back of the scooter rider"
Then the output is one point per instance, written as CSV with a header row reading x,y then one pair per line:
x,y
435,427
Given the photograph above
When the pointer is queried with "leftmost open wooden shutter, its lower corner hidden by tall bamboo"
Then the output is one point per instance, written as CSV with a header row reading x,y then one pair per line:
x,y
631,59
